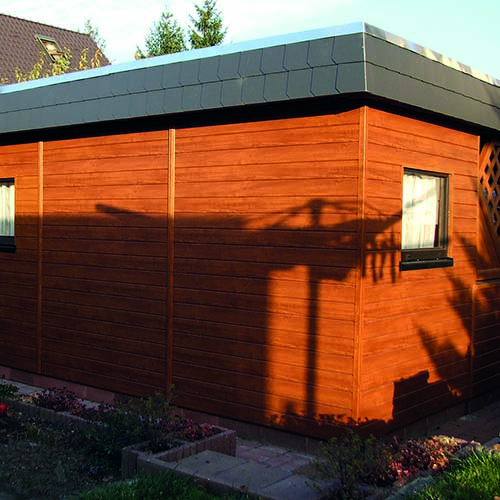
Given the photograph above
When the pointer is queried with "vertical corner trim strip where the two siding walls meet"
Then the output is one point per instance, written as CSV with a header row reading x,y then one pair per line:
x,y
358,330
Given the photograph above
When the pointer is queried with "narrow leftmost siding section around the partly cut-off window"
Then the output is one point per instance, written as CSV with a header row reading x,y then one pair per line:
x,y
19,271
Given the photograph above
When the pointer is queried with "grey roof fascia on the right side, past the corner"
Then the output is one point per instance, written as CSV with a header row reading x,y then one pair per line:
x,y
397,73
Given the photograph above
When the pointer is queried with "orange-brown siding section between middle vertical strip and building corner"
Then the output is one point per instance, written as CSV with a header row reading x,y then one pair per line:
x,y
266,258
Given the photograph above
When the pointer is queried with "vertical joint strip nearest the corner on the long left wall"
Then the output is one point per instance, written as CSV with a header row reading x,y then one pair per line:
x,y
170,257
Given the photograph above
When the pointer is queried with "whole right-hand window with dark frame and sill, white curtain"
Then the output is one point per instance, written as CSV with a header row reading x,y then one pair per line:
x,y
424,238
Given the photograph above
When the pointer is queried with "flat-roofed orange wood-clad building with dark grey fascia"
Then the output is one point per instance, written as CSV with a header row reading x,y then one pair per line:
x,y
295,232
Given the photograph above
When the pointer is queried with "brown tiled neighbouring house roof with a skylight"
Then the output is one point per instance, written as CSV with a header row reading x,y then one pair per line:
x,y
22,43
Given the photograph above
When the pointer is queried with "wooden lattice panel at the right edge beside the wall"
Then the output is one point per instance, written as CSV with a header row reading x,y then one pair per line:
x,y
489,176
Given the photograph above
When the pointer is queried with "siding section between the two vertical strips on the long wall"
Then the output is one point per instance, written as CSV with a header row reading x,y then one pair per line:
x,y
104,261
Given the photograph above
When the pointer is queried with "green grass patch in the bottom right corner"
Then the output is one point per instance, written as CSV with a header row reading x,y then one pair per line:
x,y
476,477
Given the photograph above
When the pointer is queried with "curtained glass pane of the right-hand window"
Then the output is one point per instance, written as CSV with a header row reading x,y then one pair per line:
x,y
421,209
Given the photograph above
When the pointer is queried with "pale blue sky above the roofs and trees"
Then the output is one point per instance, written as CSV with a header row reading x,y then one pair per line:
x,y
463,30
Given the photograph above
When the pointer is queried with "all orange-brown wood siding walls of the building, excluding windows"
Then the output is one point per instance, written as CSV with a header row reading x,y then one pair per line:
x,y
288,305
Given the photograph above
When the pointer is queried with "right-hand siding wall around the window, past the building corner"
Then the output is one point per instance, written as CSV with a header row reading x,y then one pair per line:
x,y
417,325
